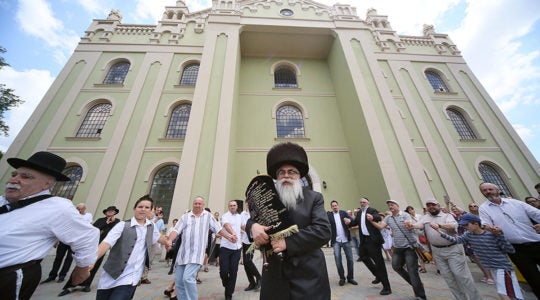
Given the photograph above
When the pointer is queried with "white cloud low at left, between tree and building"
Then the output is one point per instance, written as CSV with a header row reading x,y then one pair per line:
x,y
21,81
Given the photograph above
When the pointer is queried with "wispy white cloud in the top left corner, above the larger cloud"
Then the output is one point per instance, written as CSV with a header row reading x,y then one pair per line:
x,y
36,18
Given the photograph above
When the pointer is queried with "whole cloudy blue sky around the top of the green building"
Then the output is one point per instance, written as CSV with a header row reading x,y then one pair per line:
x,y
499,39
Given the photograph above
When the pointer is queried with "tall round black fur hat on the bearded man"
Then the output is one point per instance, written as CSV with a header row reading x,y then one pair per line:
x,y
286,153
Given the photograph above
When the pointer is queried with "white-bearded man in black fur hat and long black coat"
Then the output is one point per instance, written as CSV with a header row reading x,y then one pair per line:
x,y
301,271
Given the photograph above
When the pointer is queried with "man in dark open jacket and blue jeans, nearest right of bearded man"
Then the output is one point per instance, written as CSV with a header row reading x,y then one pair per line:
x,y
341,238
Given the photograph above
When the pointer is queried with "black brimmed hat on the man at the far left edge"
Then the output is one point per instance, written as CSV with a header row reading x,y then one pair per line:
x,y
44,162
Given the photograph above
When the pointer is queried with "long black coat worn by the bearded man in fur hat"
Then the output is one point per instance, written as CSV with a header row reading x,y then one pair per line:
x,y
301,273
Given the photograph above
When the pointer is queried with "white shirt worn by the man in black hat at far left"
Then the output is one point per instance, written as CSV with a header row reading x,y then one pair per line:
x,y
30,232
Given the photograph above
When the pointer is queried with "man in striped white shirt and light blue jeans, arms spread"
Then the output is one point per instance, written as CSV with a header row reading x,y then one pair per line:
x,y
193,226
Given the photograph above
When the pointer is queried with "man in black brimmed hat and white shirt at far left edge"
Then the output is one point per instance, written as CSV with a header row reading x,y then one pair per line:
x,y
33,221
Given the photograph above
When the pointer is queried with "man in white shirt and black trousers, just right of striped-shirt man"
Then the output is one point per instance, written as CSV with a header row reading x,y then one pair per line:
x,y
230,251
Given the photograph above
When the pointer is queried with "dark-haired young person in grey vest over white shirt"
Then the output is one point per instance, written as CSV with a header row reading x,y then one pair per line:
x,y
130,243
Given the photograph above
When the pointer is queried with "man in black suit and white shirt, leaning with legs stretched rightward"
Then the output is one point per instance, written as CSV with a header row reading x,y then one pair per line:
x,y
370,244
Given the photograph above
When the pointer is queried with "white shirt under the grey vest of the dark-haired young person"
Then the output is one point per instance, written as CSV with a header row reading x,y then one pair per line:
x,y
135,265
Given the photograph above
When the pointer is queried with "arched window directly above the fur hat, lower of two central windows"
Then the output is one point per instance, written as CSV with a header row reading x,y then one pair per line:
x,y
289,122
